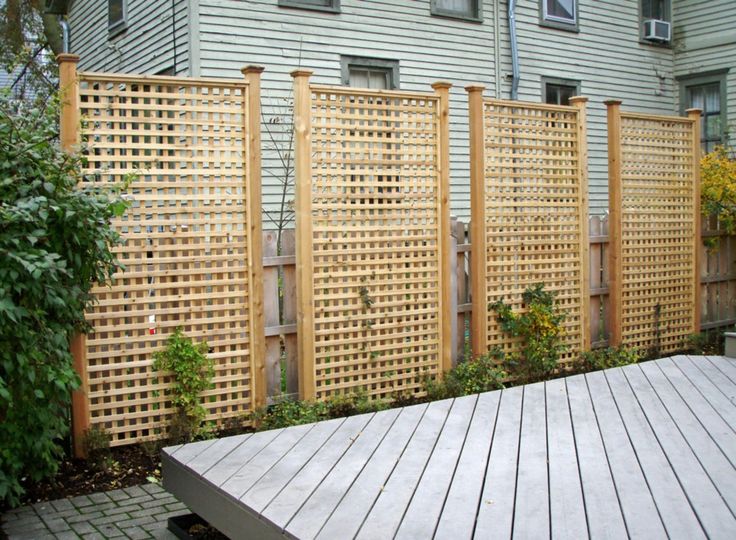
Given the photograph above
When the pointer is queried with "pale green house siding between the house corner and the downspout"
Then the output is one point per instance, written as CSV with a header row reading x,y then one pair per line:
x,y
428,49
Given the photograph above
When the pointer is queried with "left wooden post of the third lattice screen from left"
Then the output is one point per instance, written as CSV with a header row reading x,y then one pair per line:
x,y
478,330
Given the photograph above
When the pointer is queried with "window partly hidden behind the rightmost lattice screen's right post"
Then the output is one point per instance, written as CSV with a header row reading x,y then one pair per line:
x,y
707,92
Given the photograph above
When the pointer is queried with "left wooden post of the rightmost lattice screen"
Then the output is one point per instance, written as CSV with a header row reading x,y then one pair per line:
x,y
614,225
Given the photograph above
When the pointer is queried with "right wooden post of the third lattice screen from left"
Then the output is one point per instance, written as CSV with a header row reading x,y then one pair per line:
x,y
579,103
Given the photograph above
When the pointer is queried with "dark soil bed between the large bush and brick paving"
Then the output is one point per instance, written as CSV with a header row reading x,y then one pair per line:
x,y
127,466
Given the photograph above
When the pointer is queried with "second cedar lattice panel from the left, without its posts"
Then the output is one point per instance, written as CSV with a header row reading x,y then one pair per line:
x,y
375,218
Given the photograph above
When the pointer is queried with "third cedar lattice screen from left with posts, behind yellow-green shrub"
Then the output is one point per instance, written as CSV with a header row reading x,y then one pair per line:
x,y
529,213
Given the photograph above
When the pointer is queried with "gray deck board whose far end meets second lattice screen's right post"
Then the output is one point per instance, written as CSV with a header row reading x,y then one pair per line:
x,y
385,517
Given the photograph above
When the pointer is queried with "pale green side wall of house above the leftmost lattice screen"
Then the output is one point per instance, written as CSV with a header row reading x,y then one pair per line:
x,y
154,41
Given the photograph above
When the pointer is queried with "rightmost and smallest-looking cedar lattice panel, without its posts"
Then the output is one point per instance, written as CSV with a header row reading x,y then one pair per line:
x,y
658,202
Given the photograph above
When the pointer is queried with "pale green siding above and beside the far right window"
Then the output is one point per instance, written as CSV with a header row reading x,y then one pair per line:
x,y
705,41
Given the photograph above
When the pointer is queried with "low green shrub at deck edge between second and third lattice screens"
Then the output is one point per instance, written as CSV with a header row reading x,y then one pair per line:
x,y
473,376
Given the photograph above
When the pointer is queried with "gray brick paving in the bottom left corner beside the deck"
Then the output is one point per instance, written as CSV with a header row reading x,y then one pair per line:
x,y
136,512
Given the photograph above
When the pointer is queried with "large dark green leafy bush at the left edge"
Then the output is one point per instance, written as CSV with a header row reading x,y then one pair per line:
x,y
54,243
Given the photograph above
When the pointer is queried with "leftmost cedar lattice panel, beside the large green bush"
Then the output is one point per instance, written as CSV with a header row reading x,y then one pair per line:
x,y
185,247
